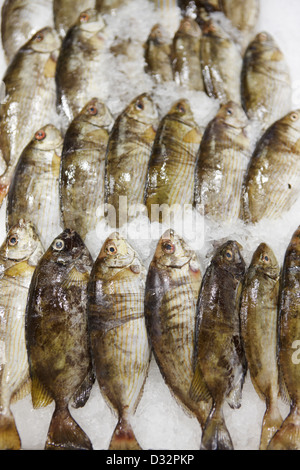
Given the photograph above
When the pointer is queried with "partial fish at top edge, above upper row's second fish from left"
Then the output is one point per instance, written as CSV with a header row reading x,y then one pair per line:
x,y
66,13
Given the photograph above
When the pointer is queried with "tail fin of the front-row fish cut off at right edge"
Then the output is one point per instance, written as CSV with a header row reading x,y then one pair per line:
x,y
288,436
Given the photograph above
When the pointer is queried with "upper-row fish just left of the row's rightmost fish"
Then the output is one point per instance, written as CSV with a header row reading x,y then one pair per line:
x,y
221,63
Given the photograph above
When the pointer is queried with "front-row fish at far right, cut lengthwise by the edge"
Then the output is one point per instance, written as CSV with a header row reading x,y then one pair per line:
x,y
288,436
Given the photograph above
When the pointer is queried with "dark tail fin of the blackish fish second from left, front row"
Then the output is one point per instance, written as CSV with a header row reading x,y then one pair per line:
x,y
65,434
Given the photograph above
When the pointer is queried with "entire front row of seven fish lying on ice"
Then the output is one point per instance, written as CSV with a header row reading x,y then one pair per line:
x,y
83,319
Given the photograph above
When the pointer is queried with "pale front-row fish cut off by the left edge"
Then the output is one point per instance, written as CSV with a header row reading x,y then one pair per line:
x,y
19,254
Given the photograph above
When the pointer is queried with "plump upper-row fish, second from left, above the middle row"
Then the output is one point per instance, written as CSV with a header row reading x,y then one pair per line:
x,y
80,64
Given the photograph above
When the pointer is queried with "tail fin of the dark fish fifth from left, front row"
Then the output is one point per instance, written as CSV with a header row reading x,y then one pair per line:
x,y
215,433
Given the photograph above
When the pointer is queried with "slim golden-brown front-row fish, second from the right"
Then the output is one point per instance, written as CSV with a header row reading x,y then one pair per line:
x,y
259,326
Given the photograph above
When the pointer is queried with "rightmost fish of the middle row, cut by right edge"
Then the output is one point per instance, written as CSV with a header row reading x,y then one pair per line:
x,y
272,182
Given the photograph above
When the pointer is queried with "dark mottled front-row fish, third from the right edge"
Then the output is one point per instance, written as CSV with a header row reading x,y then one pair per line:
x,y
220,364
